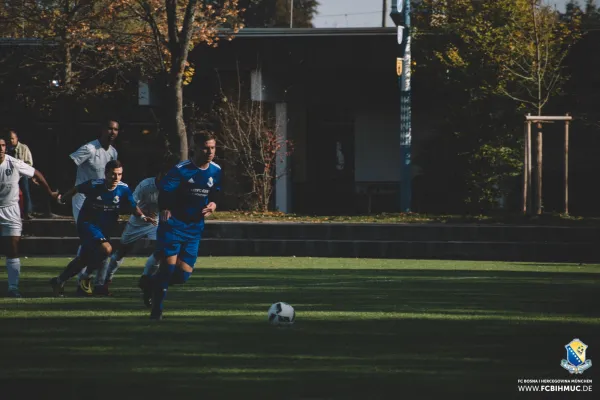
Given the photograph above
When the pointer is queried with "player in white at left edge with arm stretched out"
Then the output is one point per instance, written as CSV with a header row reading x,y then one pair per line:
x,y
11,170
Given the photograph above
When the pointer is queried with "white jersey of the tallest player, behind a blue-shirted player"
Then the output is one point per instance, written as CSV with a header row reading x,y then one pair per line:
x,y
91,158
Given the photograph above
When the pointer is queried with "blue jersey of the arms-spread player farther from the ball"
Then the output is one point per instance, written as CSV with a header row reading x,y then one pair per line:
x,y
103,206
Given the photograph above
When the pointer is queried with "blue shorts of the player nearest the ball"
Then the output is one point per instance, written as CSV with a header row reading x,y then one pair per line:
x,y
175,238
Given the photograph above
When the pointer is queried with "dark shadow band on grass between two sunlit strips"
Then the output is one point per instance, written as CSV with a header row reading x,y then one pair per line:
x,y
357,290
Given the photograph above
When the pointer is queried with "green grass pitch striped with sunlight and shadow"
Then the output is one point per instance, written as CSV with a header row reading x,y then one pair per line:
x,y
365,329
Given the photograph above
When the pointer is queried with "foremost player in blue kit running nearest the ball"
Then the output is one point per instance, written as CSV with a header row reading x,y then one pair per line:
x,y
187,194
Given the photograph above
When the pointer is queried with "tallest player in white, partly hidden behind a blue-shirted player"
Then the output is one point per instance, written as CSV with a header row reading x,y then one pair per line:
x,y
91,158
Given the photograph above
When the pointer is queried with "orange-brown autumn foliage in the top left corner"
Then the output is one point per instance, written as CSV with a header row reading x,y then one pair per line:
x,y
83,47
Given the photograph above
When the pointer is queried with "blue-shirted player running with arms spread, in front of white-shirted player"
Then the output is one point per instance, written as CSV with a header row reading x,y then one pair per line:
x,y
105,200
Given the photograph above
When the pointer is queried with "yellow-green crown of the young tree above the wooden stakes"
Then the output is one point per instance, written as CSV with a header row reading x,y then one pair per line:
x,y
523,42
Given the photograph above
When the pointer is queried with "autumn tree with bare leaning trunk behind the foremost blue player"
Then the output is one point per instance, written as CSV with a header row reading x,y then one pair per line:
x,y
171,29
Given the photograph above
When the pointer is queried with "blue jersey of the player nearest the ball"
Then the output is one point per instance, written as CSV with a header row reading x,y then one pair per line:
x,y
185,190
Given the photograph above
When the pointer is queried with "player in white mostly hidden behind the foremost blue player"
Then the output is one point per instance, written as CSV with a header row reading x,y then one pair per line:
x,y
146,195
